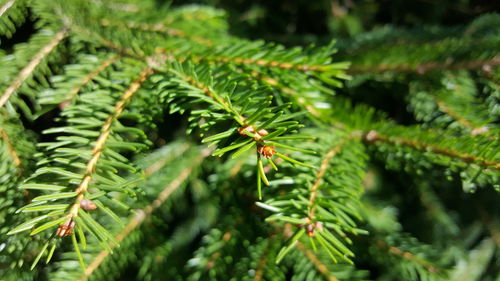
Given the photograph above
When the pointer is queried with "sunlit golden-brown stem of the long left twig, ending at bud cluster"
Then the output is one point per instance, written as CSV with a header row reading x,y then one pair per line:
x,y
101,141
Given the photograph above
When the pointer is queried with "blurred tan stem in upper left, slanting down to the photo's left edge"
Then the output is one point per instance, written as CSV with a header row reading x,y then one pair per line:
x,y
30,67
